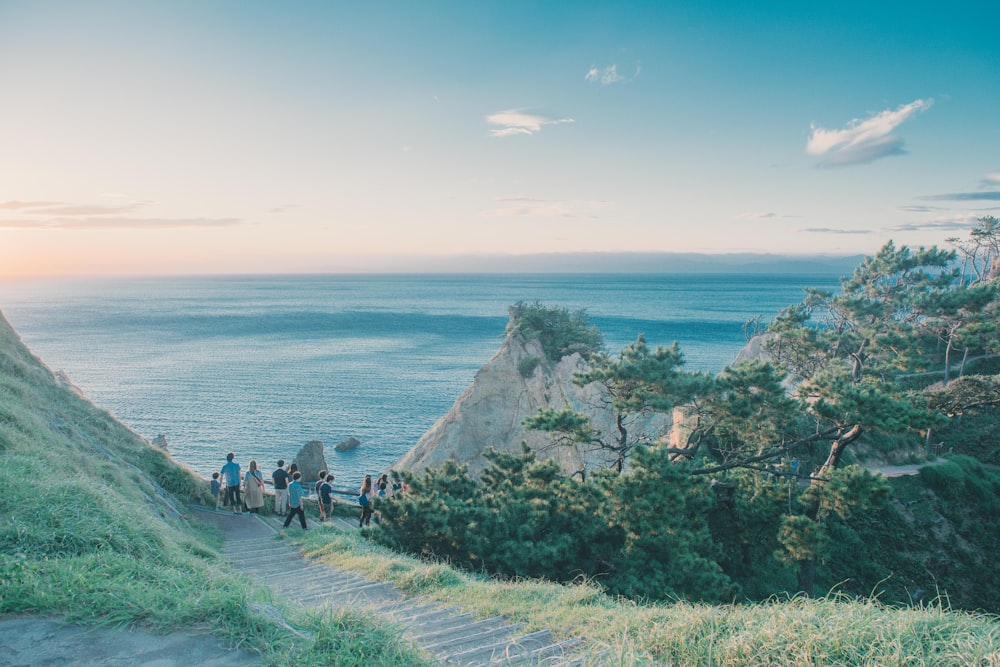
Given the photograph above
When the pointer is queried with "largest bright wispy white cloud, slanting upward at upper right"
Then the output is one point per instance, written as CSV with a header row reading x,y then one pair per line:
x,y
863,141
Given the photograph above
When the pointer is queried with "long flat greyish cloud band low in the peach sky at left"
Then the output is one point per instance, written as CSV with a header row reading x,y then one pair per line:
x,y
15,214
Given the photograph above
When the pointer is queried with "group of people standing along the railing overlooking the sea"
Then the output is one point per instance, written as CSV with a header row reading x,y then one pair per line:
x,y
289,494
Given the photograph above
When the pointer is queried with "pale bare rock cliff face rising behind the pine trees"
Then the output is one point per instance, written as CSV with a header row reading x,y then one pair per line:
x,y
491,411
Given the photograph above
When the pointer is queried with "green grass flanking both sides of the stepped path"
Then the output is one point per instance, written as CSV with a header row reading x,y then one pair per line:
x,y
93,528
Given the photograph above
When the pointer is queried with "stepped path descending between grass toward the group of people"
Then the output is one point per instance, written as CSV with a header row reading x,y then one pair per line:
x,y
448,633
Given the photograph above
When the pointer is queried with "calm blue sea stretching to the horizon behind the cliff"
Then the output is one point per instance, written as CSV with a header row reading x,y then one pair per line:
x,y
261,365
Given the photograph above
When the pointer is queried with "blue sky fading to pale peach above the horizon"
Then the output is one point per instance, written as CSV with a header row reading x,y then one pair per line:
x,y
240,136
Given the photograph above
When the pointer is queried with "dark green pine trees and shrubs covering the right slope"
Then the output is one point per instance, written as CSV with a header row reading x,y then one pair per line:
x,y
764,487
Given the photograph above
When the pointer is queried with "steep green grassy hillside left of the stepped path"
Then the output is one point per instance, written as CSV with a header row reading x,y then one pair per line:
x,y
93,528
